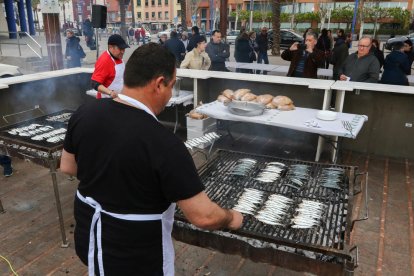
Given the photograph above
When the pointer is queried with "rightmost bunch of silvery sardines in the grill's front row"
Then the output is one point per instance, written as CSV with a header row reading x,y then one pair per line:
x,y
308,214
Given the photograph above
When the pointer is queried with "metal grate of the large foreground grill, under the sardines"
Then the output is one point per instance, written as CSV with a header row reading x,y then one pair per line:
x,y
330,236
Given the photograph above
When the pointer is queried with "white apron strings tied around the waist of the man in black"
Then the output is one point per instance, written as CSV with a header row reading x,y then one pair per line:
x,y
96,221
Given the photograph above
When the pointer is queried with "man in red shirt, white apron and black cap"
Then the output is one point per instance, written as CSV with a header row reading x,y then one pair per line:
x,y
108,76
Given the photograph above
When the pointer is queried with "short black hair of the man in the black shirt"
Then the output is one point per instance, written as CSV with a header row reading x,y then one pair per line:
x,y
148,62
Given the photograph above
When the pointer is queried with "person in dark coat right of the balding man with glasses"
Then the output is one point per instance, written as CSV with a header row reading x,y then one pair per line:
x,y
396,66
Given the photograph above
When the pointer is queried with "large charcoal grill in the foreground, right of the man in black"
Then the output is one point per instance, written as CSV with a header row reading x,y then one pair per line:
x,y
324,250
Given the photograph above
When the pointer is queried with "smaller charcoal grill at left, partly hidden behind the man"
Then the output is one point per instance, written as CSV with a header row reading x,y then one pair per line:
x,y
41,152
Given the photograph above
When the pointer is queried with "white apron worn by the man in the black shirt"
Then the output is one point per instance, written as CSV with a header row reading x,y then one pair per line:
x,y
167,219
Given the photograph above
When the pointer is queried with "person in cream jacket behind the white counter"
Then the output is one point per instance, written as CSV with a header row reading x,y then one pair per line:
x,y
197,58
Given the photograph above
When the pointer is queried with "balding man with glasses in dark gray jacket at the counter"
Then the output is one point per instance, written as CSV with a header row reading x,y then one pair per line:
x,y
361,66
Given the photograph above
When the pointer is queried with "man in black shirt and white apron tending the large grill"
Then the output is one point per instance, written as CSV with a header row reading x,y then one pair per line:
x,y
132,171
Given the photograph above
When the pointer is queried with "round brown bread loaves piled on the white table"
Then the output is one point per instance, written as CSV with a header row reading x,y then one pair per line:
x,y
280,102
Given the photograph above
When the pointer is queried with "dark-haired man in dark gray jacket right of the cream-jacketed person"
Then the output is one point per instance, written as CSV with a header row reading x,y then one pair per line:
x,y
218,52
